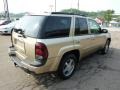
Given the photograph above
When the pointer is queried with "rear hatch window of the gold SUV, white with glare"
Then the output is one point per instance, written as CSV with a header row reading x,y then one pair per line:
x,y
30,25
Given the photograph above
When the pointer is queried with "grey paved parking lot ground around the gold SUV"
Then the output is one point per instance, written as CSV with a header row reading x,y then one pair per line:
x,y
96,72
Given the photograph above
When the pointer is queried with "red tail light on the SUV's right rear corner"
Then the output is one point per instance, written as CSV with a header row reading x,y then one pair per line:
x,y
41,54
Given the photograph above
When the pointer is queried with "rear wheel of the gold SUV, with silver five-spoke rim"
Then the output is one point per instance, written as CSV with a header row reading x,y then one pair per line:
x,y
67,66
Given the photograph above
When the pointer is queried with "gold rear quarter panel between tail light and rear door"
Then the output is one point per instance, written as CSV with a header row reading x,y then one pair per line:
x,y
56,49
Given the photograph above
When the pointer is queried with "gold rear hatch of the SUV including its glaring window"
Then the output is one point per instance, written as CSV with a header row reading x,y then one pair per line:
x,y
24,37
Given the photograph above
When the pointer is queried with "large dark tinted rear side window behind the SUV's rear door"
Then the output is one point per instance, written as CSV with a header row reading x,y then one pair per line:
x,y
56,27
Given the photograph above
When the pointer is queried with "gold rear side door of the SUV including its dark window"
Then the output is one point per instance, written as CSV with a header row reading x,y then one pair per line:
x,y
82,38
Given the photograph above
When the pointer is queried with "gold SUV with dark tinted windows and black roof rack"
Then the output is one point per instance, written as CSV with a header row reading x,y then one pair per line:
x,y
56,42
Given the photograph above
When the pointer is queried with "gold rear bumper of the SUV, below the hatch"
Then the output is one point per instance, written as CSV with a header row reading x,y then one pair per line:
x,y
24,65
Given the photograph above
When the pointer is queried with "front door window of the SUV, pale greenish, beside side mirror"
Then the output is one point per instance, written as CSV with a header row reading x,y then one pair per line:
x,y
94,27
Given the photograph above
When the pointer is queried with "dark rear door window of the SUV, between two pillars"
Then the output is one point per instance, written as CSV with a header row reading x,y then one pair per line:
x,y
81,27
